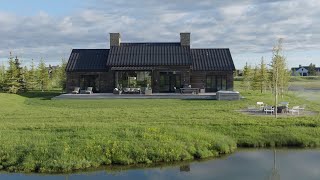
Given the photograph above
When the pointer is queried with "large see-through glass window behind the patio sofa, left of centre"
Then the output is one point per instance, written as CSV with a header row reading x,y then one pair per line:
x,y
132,79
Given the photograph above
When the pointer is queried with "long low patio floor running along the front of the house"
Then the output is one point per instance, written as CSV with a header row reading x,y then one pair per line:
x,y
204,96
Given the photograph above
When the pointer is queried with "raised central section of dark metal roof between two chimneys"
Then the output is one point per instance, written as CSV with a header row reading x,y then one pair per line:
x,y
149,54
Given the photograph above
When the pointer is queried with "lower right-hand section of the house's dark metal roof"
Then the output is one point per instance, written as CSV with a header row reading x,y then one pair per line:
x,y
212,60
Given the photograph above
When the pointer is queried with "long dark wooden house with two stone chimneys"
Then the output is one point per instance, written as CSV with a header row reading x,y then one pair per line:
x,y
165,67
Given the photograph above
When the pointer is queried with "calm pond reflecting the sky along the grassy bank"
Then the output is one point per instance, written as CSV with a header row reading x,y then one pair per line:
x,y
243,164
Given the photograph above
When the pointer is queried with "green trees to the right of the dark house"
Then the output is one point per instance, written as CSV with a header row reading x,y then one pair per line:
x,y
265,77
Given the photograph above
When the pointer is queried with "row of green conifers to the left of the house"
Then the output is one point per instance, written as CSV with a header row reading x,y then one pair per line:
x,y
15,78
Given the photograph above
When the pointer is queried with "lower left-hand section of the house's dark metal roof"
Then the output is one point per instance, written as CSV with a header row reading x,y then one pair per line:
x,y
88,60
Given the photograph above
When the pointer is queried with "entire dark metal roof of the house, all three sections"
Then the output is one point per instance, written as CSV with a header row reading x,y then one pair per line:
x,y
145,56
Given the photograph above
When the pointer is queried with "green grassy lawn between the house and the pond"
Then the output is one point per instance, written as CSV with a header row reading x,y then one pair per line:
x,y
43,135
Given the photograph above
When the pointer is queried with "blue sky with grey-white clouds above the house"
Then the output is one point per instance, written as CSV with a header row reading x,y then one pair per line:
x,y
49,29
